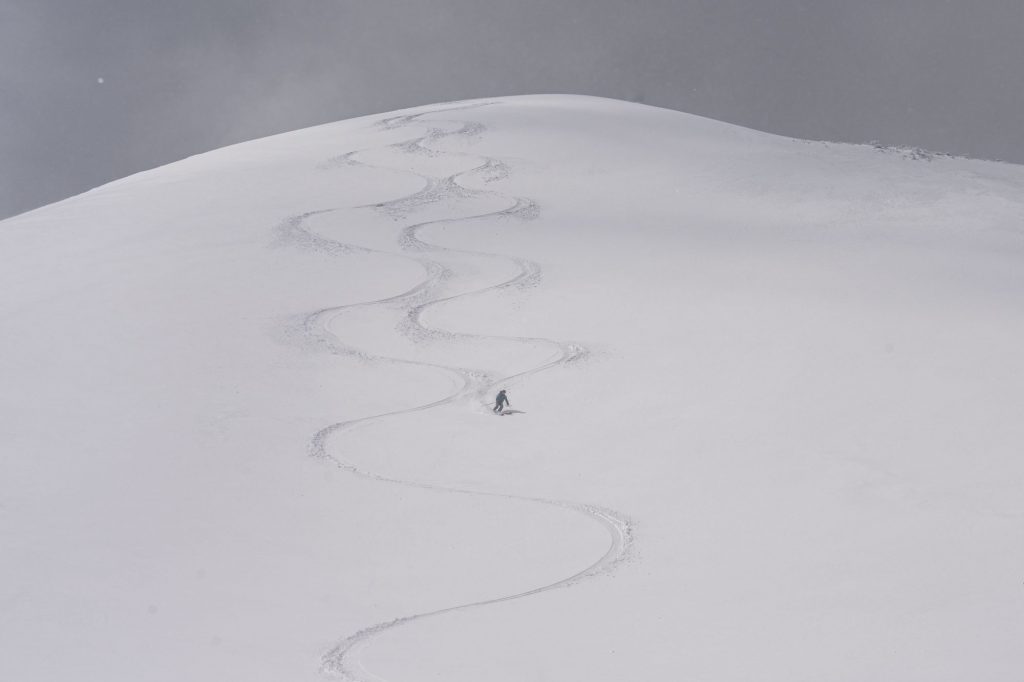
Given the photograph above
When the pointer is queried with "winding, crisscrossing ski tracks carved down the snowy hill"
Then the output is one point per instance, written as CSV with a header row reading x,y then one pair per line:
x,y
344,660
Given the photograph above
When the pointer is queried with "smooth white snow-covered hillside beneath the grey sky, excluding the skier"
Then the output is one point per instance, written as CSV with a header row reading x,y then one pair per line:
x,y
767,395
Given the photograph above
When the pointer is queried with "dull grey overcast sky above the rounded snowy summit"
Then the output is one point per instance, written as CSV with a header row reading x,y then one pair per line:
x,y
186,76
